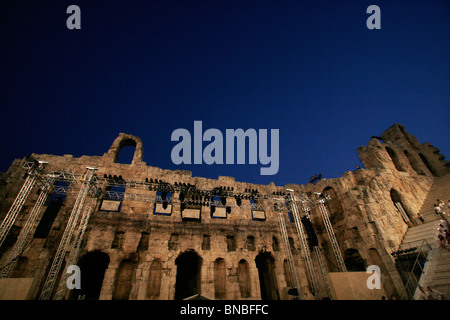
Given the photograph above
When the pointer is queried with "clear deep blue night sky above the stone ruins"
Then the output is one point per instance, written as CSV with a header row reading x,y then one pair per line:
x,y
311,69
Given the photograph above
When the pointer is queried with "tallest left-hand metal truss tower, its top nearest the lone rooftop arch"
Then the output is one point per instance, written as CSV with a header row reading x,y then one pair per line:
x,y
52,276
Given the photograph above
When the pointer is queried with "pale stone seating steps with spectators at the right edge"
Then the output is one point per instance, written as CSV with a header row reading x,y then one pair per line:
x,y
437,268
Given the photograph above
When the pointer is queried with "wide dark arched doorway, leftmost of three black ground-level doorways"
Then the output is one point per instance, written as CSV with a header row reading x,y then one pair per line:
x,y
92,266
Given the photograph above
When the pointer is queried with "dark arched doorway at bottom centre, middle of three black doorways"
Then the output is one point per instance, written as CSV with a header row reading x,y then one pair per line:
x,y
188,275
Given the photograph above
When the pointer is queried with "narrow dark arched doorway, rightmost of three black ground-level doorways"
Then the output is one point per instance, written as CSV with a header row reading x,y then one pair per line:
x,y
267,278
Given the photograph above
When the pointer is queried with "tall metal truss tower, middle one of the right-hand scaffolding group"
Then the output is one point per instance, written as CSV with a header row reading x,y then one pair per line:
x,y
304,245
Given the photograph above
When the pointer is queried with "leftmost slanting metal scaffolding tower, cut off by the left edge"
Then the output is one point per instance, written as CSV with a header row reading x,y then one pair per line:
x,y
34,168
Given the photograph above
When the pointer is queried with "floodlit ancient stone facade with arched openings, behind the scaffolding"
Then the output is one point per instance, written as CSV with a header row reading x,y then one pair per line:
x,y
156,234
